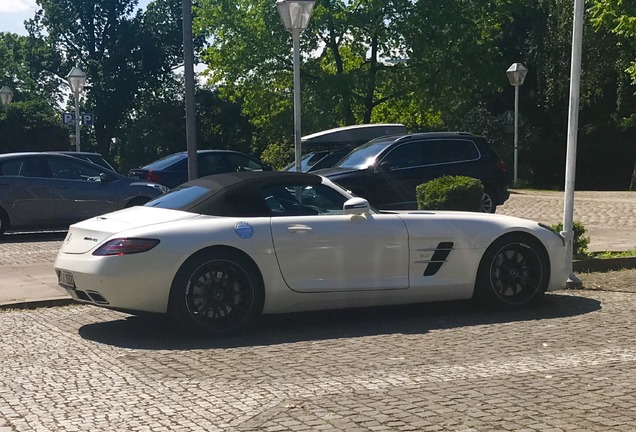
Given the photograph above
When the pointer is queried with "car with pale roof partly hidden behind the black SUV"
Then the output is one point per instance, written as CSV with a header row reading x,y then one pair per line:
x,y
326,148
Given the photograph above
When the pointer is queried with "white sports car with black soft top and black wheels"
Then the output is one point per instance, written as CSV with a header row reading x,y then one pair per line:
x,y
218,251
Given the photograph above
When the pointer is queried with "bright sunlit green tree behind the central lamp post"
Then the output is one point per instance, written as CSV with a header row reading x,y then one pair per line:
x,y
345,77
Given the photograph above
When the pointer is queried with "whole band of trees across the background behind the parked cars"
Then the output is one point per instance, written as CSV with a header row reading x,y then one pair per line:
x,y
427,64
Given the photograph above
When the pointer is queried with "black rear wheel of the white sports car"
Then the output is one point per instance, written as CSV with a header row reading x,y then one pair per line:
x,y
216,293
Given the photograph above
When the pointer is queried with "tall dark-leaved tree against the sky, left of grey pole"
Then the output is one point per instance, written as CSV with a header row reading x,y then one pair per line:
x,y
123,51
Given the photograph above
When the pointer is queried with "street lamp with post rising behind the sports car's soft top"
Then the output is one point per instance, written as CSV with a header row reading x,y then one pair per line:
x,y
295,15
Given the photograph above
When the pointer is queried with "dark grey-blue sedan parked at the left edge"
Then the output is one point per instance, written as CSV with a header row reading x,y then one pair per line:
x,y
52,190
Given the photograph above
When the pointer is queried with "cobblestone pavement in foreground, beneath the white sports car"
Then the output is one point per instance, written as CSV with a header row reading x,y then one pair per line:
x,y
565,365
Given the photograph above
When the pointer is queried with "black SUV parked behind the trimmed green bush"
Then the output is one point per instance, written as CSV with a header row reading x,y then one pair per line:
x,y
386,170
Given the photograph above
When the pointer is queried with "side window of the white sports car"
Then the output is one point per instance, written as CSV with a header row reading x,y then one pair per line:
x,y
302,200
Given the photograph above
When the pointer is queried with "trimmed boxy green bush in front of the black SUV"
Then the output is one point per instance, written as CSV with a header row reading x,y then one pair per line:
x,y
450,193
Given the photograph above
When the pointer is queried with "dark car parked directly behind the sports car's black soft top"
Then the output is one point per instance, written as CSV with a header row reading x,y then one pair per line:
x,y
172,170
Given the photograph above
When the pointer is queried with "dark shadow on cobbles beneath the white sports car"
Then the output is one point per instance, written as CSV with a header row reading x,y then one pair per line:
x,y
154,333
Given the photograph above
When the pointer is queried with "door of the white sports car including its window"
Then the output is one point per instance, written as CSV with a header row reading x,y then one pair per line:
x,y
319,249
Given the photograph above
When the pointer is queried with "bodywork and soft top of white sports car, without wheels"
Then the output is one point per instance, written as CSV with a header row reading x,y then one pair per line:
x,y
306,261
